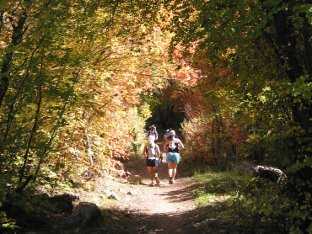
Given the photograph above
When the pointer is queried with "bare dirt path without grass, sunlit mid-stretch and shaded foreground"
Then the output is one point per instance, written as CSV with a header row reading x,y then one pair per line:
x,y
170,208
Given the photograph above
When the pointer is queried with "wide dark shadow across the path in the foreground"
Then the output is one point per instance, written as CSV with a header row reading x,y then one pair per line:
x,y
200,220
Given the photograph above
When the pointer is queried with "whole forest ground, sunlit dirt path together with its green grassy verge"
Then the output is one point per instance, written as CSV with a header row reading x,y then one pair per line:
x,y
200,203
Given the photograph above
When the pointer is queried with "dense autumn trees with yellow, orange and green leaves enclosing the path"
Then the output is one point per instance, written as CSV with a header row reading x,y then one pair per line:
x,y
81,80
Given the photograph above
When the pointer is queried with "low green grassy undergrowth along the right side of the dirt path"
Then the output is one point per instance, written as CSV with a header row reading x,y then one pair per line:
x,y
243,200
